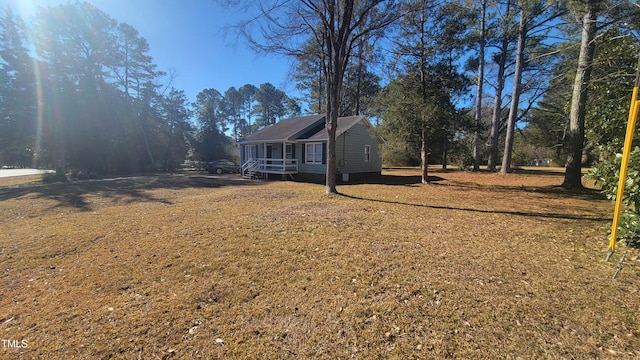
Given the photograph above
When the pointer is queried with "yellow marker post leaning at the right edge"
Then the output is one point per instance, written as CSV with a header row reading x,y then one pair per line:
x,y
626,151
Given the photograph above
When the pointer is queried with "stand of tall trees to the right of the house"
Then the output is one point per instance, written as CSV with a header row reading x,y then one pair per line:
x,y
495,82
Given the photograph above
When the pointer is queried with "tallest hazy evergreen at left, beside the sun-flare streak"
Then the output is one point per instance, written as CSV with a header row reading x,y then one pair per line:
x,y
75,41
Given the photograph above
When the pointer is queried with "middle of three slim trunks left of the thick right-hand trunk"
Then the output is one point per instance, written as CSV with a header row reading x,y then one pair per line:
x,y
497,104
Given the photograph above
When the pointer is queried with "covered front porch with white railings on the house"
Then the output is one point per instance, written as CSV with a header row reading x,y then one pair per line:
x,y
260,160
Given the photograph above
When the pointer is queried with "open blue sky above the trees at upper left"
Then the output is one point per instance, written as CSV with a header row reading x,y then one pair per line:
x,y
188,37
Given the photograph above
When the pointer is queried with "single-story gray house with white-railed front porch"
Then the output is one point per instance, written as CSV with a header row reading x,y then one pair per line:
x,y
296,148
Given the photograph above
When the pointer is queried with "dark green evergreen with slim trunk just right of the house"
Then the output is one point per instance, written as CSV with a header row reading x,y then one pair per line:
x,y
429,41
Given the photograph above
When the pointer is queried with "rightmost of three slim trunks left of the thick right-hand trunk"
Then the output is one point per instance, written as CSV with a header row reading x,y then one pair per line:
x,y
515,98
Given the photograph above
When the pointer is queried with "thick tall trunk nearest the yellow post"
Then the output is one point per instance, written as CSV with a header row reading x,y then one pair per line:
x,y
575,139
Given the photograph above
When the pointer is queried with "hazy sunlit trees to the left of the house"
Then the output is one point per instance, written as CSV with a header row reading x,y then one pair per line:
x,y
79,91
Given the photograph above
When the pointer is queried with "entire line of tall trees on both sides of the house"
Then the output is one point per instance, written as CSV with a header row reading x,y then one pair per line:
x,y
467,82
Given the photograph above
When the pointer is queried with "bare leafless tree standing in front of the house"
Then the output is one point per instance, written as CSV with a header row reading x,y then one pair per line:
x,y
284,27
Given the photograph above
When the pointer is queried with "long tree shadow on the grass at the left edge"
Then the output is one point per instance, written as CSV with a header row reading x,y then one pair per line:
x,y
123,189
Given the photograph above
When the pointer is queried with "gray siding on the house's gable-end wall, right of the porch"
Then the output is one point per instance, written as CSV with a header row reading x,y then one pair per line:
x,y
350,151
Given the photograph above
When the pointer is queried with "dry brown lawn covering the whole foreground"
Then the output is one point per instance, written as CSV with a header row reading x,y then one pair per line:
x,y
471,266
